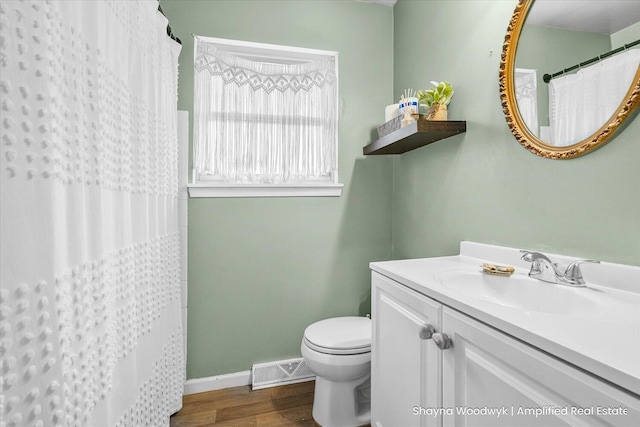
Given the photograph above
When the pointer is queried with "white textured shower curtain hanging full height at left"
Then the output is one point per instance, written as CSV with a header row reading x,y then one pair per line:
x,y
90,323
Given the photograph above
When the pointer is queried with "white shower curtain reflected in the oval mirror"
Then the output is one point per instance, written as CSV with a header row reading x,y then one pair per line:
x,y
580,103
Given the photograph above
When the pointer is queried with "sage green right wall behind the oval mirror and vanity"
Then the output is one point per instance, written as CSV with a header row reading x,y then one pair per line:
x,y
483,186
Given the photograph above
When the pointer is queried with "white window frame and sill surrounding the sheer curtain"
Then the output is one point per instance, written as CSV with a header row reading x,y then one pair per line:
x,y
208,186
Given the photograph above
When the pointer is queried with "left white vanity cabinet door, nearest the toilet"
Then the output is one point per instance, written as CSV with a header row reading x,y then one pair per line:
x,y
405,368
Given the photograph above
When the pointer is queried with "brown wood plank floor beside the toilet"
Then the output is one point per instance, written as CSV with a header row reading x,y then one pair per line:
x,y
288,405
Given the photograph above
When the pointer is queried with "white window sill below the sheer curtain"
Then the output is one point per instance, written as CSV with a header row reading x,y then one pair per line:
x,y
265,190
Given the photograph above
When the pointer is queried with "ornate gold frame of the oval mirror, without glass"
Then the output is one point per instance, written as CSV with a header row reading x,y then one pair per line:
x,y
510,105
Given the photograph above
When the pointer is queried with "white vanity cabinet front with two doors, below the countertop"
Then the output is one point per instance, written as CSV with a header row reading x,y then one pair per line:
x,y
485,378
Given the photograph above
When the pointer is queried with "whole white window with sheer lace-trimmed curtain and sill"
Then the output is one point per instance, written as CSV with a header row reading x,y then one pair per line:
x,y
265,120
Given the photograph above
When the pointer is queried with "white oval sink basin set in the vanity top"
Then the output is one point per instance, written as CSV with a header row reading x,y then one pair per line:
x,y
521,292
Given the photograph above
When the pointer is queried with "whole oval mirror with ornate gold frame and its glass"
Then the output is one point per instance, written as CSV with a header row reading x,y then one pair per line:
x,y
570,76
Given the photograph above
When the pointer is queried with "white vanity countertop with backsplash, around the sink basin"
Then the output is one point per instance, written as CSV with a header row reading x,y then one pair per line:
x,y
604,341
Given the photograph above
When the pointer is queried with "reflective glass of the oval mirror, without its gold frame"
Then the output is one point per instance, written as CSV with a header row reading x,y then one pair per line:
x,y
591,51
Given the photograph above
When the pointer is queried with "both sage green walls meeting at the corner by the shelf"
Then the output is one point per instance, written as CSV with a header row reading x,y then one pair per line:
x,y
261,270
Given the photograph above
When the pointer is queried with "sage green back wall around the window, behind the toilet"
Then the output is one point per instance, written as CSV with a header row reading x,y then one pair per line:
x,y
261,270
